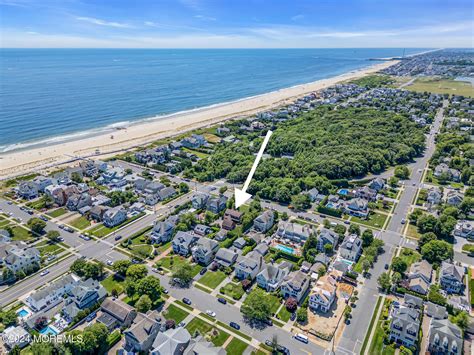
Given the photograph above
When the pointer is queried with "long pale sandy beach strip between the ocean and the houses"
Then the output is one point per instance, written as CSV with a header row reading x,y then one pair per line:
x,y
25,161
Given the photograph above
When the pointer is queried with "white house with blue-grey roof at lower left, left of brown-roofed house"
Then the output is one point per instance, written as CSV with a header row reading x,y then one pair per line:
x,y
83,295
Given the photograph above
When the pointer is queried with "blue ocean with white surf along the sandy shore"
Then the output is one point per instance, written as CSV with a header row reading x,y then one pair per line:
x,y
54,95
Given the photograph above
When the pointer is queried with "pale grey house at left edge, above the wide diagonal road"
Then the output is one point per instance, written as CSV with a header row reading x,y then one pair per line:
x,y
19,257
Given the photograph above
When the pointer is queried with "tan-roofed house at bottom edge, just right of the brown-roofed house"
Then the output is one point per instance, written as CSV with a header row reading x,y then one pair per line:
x,y
140,336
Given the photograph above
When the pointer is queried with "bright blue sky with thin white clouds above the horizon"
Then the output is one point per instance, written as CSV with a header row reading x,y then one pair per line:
x,y
236,23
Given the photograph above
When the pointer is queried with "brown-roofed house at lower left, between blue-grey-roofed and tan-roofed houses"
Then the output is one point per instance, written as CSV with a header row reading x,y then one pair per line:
x,y
116,314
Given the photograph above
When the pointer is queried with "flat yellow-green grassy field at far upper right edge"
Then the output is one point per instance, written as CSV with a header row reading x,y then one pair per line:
x,y
442,86
